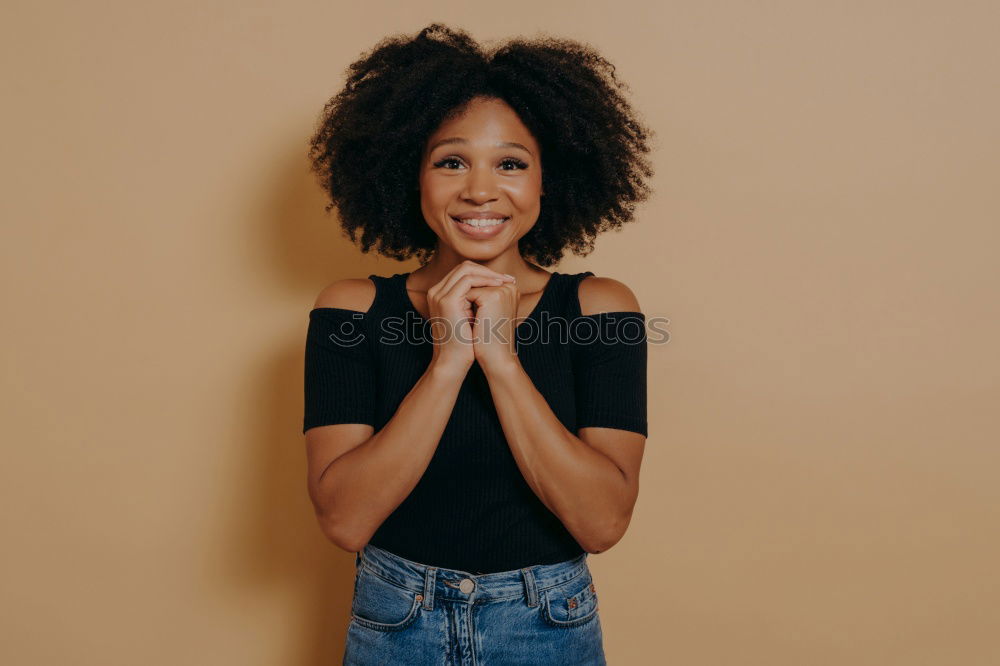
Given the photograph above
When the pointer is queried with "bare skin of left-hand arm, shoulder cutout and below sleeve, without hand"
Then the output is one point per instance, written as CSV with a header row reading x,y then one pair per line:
x,y
356,476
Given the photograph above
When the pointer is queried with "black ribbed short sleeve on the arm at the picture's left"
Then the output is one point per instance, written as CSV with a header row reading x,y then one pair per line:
x,y
339,369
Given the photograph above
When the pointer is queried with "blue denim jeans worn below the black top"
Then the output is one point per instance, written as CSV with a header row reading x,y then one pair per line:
x,y
409,613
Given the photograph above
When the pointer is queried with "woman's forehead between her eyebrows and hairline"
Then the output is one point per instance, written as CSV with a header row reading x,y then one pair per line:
x,y
486,123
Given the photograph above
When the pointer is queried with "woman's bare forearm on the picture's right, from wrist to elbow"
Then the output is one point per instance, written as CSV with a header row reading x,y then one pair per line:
x,y
582,486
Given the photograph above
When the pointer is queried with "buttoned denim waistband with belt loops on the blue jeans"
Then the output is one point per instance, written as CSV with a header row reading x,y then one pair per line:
x,y
434,583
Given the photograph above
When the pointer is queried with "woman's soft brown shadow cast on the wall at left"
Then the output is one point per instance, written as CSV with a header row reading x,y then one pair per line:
x,y
278,548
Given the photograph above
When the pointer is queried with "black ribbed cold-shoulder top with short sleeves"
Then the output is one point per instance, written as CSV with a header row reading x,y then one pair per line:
x,y
472,510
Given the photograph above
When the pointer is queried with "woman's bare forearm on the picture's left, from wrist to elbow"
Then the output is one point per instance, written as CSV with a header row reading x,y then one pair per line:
x,y
361,488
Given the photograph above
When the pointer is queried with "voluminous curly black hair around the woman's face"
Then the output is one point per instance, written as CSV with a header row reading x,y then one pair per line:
x,y
370,138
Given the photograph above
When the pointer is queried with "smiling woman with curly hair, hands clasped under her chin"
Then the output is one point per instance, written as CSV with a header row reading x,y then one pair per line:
x,y
475,427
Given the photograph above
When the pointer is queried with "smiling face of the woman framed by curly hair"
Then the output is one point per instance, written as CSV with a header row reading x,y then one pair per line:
x,y
482,164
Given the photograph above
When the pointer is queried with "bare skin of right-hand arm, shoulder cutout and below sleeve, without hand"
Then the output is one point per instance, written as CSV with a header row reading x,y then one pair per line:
x,y
589,480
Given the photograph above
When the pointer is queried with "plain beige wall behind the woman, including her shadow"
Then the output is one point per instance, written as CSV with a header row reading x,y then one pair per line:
x,y
820,484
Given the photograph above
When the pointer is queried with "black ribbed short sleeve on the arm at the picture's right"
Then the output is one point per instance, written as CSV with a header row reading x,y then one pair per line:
x,y
609,368
